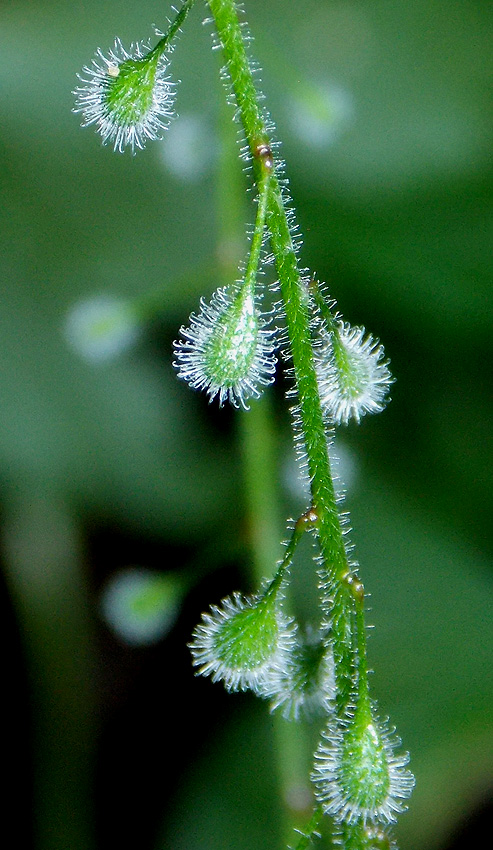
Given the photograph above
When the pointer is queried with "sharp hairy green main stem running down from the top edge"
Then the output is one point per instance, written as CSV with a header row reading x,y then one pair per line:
x,y
337,593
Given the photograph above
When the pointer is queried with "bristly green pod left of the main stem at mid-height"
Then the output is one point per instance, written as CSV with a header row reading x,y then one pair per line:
x,y
227,350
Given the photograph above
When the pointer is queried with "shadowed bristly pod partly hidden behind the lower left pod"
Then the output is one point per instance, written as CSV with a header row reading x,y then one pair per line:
x,y
306,686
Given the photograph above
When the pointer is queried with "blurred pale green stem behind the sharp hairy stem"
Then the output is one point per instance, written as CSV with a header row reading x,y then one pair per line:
x,y
257,438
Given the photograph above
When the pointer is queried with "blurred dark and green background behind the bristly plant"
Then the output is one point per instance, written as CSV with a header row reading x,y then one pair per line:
x,y
385,116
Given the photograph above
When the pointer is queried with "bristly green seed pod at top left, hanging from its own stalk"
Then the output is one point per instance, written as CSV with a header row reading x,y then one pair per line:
x,y
127,95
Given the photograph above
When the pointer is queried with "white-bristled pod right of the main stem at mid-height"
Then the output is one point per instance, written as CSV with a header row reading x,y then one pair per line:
x,y
353,374
